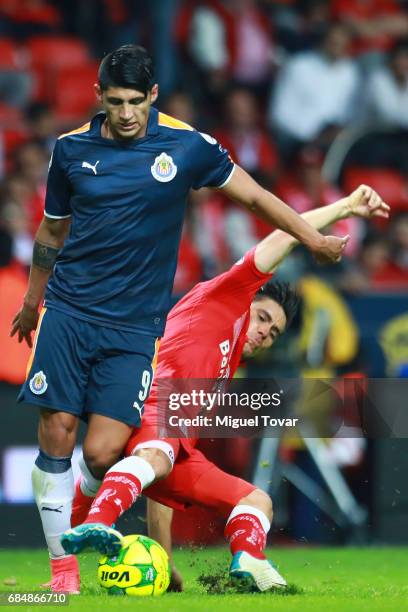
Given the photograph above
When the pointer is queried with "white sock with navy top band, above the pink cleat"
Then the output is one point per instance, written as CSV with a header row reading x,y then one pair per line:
x,y
53,486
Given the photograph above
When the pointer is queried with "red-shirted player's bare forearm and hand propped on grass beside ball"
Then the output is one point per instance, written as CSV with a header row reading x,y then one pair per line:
x,y
159,519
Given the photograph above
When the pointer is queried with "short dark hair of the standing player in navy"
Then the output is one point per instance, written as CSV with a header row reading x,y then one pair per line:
x,y
130,67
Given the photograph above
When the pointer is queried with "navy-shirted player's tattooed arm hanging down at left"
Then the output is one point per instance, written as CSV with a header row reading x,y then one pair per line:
x,y
48,241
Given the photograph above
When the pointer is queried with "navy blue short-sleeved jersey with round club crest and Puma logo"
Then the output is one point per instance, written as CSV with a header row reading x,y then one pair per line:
x,y
126,201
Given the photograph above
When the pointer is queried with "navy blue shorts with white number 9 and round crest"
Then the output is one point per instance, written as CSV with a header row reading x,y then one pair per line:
x,y
81,368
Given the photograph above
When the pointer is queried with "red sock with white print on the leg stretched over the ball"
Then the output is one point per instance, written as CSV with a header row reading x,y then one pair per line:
x,y
118,493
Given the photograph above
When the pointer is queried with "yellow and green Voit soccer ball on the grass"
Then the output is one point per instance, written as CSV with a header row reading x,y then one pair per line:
x,y
141,568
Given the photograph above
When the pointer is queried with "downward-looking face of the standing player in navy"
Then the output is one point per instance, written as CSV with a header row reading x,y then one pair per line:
x,y
127,111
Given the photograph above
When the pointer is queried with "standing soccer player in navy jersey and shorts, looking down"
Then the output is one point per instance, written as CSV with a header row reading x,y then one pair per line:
x,y
104,259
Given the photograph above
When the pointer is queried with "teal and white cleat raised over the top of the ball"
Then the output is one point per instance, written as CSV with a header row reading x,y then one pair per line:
x,y
96,536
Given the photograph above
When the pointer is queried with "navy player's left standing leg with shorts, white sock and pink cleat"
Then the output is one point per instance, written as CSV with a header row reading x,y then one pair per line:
x,y
56,383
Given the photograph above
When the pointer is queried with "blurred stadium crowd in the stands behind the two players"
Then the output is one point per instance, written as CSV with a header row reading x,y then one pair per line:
x,y
309,96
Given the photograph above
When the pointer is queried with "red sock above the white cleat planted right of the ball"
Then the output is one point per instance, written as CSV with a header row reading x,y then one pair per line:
x,y
245,533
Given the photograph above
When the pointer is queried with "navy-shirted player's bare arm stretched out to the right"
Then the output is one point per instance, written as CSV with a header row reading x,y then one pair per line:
x,y
243,189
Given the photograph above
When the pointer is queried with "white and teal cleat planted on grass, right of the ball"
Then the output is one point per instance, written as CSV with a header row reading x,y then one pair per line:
x,y
261,572
